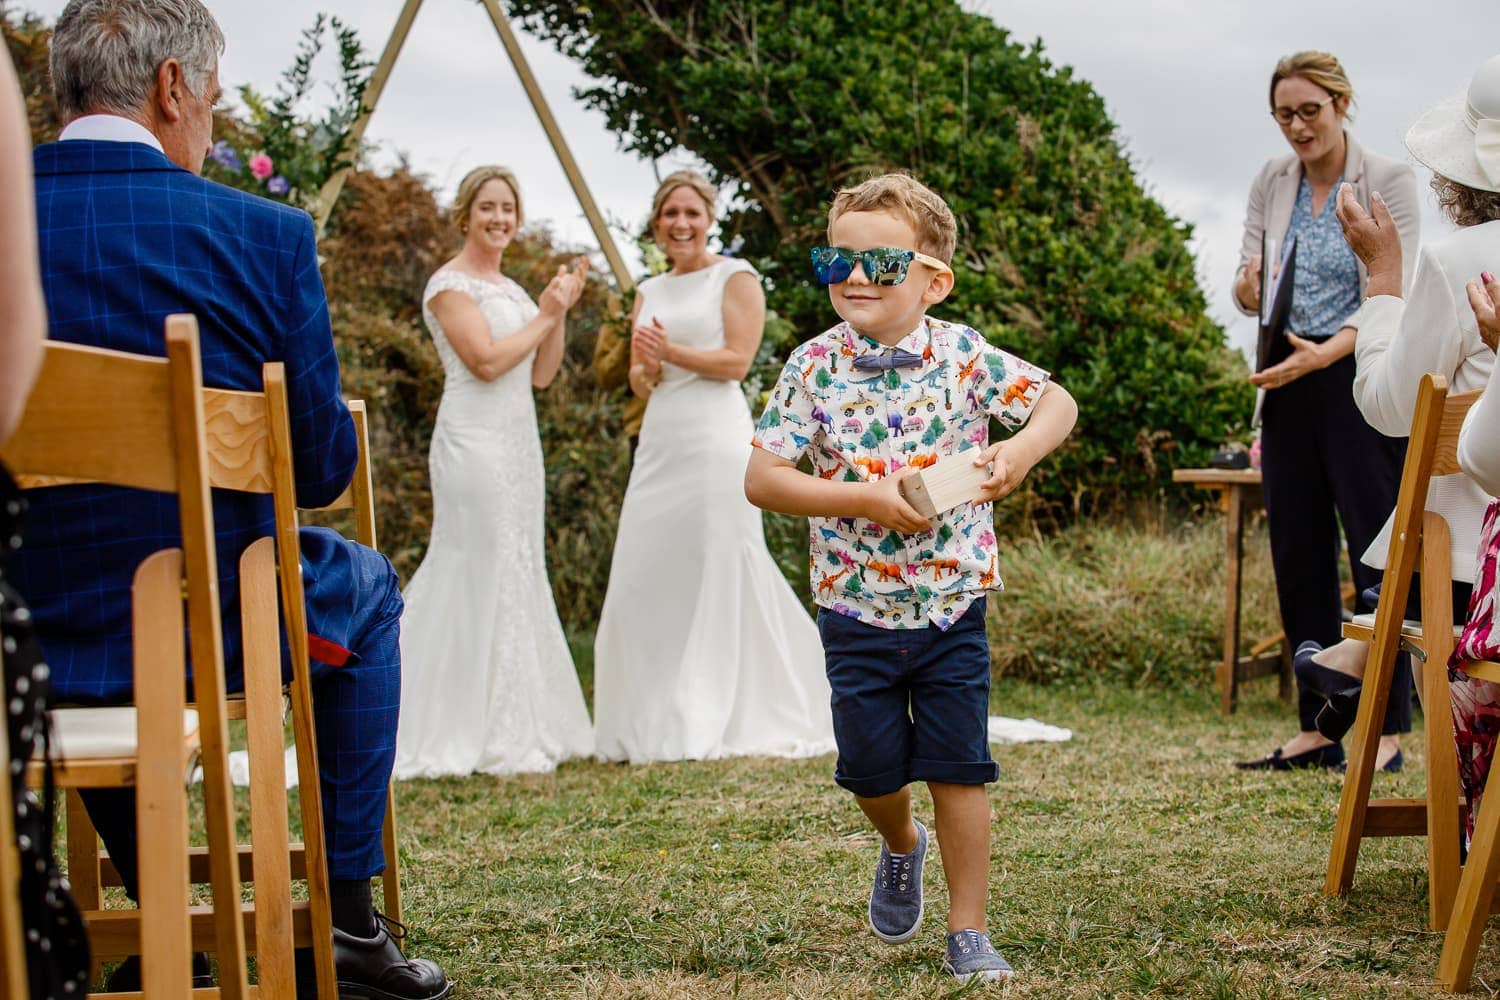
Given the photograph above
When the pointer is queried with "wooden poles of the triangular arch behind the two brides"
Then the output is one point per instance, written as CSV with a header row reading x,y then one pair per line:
x,y
331,191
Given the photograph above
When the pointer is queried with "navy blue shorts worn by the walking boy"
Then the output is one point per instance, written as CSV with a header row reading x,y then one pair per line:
x,y
910,704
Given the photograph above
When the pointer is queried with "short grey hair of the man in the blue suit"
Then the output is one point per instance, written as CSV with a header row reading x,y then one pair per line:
x,y
106,53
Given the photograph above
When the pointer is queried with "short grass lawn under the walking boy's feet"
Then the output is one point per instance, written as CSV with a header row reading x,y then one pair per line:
x,y
1132,863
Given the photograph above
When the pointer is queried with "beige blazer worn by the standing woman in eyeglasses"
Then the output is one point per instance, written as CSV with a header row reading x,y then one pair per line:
x,y
1276,194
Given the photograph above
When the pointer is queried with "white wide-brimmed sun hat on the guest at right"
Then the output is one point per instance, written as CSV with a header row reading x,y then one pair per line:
x,y
1460,139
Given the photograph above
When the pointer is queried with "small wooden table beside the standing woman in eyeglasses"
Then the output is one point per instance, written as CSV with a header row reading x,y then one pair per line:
x,y
1240,491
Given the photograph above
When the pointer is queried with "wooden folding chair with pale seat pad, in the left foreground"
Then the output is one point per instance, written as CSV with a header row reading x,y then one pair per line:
x,y
110,418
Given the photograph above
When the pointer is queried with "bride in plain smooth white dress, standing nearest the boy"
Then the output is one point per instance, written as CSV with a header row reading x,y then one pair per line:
x,y
703,648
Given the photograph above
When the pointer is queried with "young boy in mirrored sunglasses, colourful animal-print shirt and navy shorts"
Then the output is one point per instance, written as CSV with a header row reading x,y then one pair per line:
x,y
902,599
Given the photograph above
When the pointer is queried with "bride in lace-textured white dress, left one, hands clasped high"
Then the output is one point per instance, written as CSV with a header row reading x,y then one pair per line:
x,y
488,681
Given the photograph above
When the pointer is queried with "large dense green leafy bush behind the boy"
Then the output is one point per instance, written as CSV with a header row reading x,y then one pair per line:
x,y
1063,257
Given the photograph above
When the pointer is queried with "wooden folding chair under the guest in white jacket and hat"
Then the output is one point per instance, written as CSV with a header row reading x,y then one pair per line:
x,y
1417,534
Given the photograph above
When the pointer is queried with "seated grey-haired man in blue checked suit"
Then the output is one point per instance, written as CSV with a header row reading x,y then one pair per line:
x,y
130,233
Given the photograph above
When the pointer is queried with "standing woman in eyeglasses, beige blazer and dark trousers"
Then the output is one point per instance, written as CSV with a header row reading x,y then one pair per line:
x,y
1324,467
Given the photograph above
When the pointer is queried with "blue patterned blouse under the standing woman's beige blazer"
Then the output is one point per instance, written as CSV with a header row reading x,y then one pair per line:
x,y
1325,287
